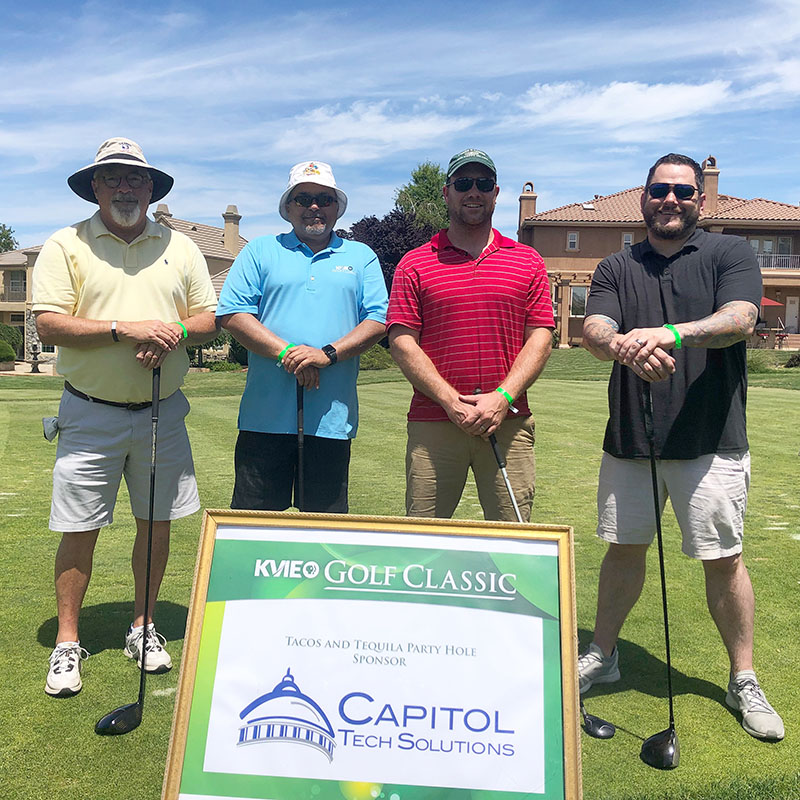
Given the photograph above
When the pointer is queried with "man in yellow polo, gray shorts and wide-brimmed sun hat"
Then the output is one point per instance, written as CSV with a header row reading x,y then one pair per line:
x,y
119,295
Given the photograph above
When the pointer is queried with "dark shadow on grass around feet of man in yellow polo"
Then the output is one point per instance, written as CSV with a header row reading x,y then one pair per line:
x,y
103,626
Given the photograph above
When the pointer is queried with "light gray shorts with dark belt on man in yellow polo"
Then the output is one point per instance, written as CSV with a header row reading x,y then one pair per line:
x,y
98,444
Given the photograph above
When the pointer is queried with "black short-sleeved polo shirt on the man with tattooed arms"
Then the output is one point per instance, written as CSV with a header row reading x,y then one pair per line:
x,y
701,408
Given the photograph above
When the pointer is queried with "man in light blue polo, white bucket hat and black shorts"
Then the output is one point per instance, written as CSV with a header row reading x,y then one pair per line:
x,y
308,303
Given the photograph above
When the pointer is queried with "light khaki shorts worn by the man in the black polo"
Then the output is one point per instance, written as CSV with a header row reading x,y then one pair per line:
x,y
708,495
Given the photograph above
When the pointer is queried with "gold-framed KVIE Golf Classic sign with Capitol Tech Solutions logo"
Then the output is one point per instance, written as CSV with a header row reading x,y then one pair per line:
x,y
362,658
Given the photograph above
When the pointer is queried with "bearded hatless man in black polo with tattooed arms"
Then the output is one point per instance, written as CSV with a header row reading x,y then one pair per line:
x,y
674,311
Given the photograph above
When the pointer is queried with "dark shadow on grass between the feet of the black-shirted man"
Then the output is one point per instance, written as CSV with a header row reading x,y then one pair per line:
x,y
643,672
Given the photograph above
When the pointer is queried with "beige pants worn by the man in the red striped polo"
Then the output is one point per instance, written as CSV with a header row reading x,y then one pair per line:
x,y
439,454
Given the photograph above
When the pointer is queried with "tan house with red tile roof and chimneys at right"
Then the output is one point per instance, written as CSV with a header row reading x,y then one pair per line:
x,y
573,238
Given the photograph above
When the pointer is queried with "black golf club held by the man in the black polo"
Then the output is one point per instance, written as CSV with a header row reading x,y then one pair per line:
x,y
661,750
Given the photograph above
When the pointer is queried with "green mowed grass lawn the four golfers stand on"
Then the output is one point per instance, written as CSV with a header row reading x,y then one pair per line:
x,y
48,748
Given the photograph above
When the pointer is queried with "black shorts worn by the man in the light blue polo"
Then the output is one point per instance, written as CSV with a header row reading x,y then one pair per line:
x,y
266,473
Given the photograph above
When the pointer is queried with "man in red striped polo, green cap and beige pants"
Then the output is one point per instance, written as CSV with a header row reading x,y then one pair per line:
x,y
470,324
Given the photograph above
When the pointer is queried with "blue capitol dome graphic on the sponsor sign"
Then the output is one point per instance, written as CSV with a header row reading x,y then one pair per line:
x,y
287,715
